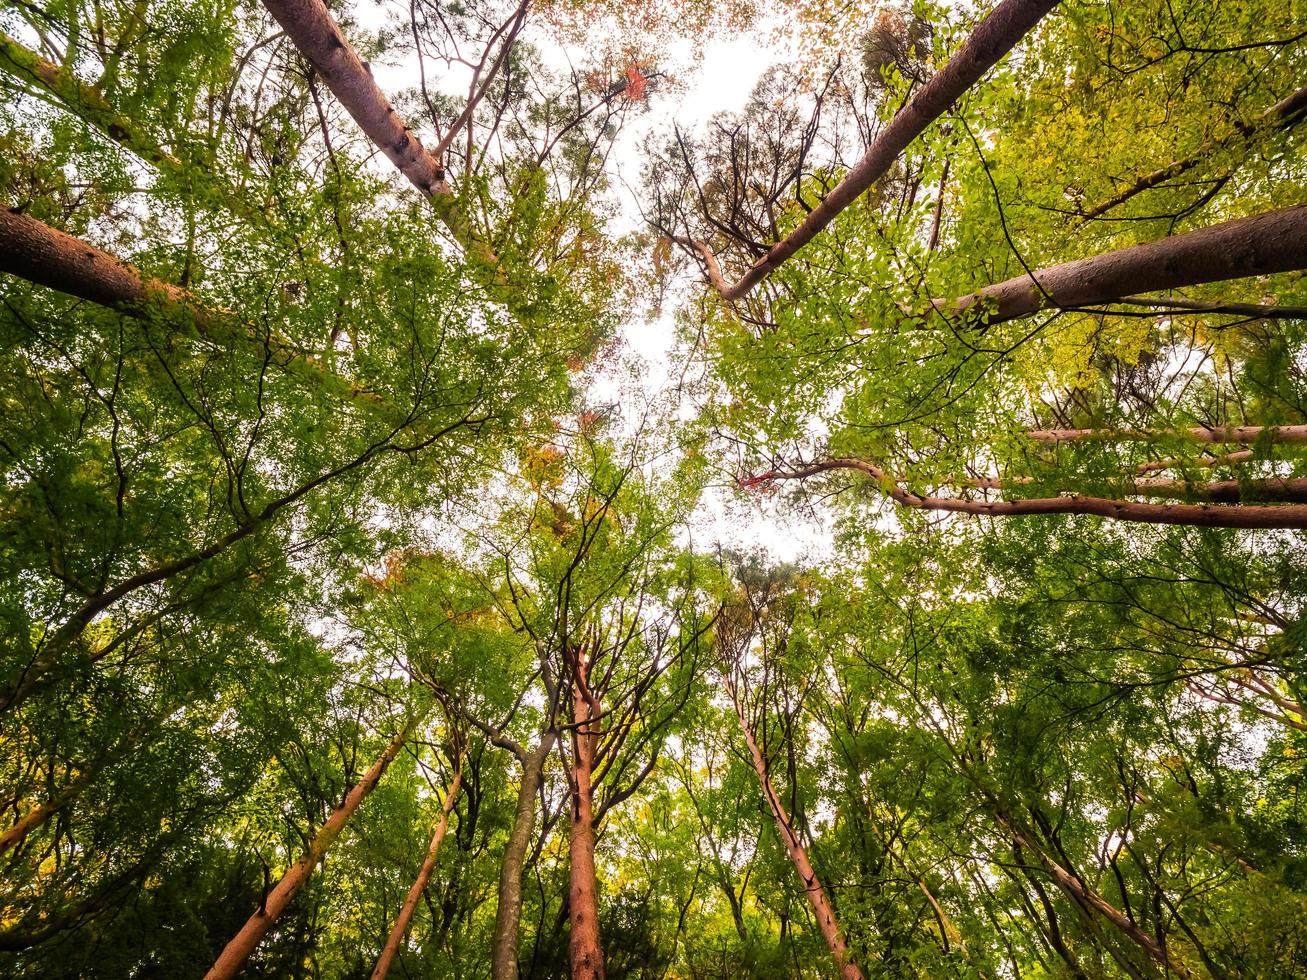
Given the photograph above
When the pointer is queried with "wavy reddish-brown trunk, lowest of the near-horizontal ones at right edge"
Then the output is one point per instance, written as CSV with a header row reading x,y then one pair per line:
x,y
1206,515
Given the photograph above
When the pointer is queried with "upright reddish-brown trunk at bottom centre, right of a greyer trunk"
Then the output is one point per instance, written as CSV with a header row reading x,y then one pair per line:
x,y
587,952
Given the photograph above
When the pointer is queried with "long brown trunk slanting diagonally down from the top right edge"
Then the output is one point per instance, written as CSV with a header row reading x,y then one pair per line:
x,y
993,39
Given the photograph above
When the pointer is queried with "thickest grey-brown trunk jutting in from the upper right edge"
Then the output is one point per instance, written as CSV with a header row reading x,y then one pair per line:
x,y
1258,246
